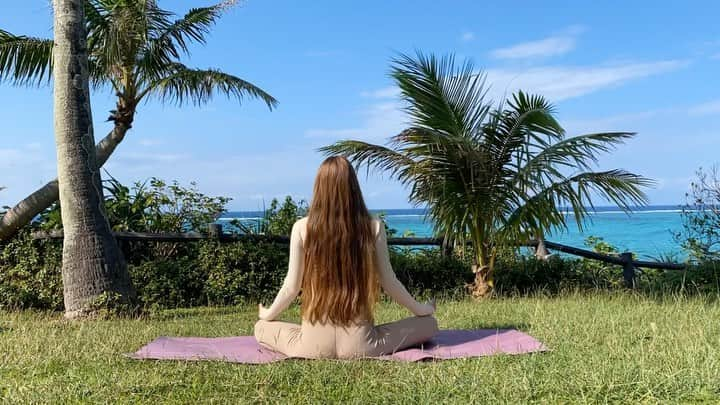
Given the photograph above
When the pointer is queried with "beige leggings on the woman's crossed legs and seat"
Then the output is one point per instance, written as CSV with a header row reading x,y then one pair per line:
x,y
343,342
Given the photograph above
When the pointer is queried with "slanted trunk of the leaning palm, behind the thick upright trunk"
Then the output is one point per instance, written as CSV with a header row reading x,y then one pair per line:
x,y
27,209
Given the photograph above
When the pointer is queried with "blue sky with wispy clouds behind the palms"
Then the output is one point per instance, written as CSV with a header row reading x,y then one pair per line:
x,y
644,66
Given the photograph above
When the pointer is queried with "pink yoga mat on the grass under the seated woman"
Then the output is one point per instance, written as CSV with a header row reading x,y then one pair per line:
x,y
447,344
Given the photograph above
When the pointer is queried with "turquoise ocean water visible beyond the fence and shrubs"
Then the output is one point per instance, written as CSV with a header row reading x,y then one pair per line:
x,y
647,231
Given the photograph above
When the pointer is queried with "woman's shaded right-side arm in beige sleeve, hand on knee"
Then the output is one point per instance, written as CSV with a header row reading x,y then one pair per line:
x,y
389,282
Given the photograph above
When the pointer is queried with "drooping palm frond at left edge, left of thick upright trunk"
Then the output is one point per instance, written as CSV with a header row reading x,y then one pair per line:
x,y
25,60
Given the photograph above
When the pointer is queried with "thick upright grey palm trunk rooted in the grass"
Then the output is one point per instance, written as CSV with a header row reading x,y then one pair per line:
x,y
93,267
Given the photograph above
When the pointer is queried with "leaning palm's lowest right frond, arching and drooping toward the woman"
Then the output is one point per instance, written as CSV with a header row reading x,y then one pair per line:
x,y
198,86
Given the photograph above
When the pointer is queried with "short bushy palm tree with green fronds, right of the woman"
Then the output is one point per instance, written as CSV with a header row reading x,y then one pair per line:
x,y
490,176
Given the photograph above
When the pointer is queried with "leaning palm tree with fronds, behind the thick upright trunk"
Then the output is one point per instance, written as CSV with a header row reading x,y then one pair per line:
x,y
135,49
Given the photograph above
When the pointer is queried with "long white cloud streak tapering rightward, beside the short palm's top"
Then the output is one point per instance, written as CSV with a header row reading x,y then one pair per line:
x,y
563,82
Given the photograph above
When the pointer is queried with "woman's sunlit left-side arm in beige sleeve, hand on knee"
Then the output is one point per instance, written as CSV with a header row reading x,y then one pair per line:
x,y
293,280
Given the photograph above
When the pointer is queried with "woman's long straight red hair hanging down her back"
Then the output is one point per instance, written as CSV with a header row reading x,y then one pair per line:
x,y
339,283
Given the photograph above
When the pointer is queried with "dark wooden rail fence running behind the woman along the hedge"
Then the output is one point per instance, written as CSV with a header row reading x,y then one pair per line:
x,y
215,232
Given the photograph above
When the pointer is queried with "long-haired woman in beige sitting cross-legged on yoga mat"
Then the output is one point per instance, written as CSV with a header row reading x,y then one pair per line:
x,y
339,259
